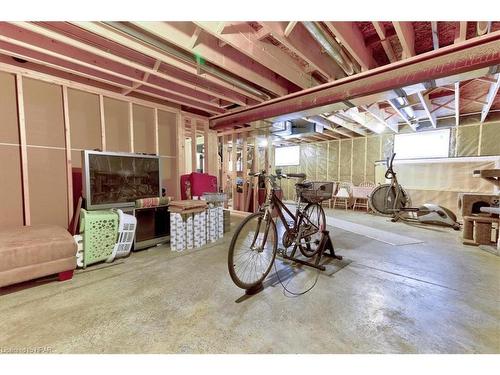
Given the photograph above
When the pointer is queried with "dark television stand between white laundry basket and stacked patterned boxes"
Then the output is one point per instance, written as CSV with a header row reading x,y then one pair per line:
x,y
153,226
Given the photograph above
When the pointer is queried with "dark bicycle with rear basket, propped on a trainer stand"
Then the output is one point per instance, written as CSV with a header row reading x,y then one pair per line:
x,y
254,244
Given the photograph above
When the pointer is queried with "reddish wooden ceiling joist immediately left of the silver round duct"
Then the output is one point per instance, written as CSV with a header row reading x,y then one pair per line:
x,y
300,42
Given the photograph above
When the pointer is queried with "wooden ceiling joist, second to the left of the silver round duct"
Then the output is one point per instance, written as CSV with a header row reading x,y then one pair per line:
x,y
242,38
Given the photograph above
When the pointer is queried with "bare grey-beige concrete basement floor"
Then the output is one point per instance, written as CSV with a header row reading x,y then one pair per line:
x,y
436,297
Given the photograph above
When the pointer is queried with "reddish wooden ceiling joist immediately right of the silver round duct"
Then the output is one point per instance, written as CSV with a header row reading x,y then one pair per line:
x,y
352,39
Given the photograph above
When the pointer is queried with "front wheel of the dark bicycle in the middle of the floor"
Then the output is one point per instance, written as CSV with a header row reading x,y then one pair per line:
x,y
252,250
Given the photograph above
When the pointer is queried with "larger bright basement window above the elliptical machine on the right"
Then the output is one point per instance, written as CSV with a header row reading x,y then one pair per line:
x,y
429,144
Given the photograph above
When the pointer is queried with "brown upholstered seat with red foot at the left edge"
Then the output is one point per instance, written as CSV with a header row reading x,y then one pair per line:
x,y
27,253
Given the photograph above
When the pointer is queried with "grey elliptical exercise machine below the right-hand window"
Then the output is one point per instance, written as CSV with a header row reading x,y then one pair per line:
x,y
393,201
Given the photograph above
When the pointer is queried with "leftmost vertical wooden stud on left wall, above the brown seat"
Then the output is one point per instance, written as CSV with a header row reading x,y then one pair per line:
x,y
24,149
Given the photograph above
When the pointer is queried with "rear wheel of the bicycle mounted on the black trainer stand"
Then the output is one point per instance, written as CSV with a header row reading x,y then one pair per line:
x,y
314,222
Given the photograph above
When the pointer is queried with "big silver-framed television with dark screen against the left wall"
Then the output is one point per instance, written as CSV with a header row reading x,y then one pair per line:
x,y
116,179
